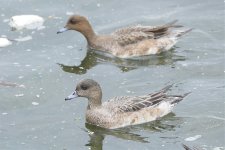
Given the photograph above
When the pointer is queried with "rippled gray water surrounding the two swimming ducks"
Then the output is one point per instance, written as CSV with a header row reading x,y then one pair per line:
x,y
36,75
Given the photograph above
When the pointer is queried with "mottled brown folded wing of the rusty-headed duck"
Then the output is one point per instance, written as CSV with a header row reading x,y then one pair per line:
x,y
134,34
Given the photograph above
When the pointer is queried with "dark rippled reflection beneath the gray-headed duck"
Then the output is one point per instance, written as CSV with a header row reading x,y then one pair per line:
x,y
97,134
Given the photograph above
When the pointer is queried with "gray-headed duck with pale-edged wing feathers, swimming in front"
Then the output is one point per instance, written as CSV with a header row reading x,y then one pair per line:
x,y
122,111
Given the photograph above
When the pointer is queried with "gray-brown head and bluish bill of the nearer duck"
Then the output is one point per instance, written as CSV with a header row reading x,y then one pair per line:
x,y
87,88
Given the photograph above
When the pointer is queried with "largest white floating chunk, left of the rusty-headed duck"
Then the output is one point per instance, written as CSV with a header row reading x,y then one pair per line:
x,y
26,21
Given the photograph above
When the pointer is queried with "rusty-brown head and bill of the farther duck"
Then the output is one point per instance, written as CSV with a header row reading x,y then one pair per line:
x,y
77,23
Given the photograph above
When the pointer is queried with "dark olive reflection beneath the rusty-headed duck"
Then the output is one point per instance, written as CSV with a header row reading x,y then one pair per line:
x,y
93,58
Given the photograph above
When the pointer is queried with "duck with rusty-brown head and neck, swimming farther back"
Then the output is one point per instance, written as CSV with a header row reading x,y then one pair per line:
x,y
128,42
